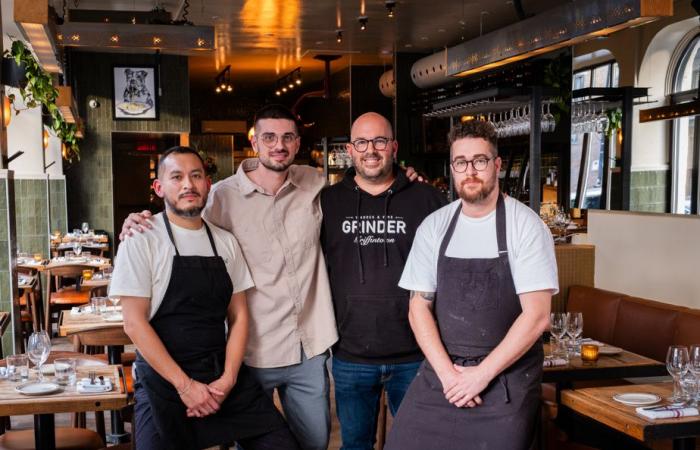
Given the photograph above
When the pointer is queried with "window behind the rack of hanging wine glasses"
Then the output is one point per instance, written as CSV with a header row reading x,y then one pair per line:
x,y
602,75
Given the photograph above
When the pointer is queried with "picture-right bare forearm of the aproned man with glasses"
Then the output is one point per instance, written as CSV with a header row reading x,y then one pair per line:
x,y
524,332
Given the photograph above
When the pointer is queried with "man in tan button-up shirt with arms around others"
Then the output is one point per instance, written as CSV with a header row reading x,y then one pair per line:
x,y
273,209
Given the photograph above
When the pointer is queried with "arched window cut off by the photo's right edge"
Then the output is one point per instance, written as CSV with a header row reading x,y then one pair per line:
x,y
685,145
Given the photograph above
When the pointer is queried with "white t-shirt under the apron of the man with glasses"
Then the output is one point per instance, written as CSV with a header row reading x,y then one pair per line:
x,y
530,247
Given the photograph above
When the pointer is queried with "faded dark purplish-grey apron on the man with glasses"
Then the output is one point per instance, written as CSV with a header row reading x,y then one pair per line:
x,y
475,306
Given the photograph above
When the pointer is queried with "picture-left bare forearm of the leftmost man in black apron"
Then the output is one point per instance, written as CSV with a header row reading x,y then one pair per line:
x,y
156,355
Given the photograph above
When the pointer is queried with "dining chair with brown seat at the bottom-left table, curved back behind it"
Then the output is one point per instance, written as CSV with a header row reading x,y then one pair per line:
x,y
67,438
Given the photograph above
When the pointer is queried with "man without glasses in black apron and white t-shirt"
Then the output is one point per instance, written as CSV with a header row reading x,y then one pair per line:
x,y
192,390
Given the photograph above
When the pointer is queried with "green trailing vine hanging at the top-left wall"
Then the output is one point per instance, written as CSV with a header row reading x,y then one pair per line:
x,y
39,90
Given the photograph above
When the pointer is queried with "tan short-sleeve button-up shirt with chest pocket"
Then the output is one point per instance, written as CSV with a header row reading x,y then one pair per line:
x,y
291,305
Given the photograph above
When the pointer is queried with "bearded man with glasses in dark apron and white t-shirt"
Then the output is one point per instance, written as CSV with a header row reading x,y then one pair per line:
x,y
482,271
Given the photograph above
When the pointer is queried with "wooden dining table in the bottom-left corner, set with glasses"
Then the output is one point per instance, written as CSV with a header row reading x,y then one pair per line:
x,y
68,400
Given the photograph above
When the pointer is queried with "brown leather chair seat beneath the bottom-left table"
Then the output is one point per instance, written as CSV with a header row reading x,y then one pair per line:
x,y
66,439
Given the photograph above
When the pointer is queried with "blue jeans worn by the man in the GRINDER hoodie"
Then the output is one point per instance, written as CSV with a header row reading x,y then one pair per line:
x,y
358,388
